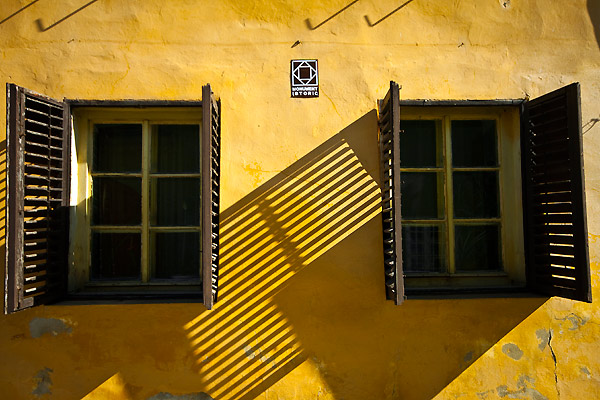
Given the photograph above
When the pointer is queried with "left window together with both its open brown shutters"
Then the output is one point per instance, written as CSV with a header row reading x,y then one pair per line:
x,y
140,216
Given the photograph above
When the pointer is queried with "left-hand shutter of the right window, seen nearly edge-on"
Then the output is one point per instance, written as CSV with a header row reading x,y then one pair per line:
x,y
389,146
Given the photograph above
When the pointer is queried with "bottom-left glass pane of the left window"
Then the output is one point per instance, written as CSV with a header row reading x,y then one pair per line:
x,y
116,255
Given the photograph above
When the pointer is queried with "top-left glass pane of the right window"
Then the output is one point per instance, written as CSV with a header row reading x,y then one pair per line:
x,y
420,144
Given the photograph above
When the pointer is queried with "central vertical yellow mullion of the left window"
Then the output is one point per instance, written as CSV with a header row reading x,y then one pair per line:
x,y
145,200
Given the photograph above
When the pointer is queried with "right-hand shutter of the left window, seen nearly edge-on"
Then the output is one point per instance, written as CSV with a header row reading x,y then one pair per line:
x,y
211,158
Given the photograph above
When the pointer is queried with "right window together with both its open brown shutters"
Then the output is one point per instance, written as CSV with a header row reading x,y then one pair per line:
x,y
454,215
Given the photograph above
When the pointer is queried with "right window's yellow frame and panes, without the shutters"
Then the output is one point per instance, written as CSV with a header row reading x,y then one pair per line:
x,y
456,220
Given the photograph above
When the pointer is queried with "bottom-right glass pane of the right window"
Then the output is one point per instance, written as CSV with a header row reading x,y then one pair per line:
x,y
477,247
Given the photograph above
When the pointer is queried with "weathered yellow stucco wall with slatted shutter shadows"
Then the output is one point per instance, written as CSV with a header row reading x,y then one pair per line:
x,y
302,313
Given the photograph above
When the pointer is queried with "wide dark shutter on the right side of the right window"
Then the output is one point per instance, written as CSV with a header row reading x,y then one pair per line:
x,y
554,196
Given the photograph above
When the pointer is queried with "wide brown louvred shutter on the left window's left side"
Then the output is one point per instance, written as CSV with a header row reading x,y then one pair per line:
x,y
38,164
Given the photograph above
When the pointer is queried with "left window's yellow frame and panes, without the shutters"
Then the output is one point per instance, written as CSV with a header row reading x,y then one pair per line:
x,y
139,185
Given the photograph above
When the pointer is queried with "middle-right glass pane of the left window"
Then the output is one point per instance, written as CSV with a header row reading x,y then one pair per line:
x,y
175,201
